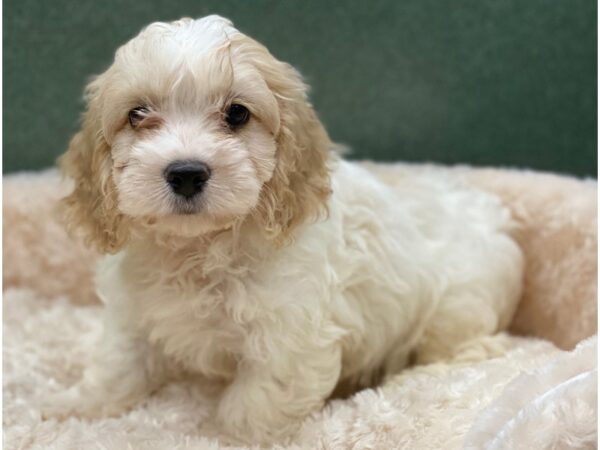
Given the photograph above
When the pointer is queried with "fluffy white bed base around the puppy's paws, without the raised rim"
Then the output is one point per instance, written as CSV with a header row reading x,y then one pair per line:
x,y
500,393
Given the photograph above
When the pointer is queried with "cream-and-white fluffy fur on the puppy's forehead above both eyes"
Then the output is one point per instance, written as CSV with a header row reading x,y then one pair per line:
x,y
187,66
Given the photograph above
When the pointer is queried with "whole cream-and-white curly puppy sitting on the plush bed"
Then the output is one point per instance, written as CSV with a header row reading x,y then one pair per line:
x,y
241,247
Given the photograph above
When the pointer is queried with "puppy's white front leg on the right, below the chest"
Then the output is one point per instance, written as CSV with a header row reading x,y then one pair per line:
x,y
268,399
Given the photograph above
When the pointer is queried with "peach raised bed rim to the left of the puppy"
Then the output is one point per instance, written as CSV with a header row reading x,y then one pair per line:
x,y
38,253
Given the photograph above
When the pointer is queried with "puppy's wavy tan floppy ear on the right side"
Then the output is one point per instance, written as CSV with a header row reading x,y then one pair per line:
x,y
300,185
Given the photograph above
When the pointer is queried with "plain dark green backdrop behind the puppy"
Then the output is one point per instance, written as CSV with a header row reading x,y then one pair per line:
x,y
486,82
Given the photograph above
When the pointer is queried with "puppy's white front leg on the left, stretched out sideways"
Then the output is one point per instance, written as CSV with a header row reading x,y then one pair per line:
x,y
124,369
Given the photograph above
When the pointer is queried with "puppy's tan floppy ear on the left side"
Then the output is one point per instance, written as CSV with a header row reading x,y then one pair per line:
x,y
92,206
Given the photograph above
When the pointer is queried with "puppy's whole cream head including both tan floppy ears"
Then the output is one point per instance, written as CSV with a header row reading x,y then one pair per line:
x,y
195,126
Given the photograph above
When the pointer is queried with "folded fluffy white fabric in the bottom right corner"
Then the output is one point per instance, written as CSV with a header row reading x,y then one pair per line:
x,y
554,406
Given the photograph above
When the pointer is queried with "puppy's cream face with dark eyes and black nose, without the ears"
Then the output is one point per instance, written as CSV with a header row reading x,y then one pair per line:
x,y
192,127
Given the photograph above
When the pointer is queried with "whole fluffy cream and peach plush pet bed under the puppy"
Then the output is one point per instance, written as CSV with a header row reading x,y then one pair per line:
x,y
502,392
